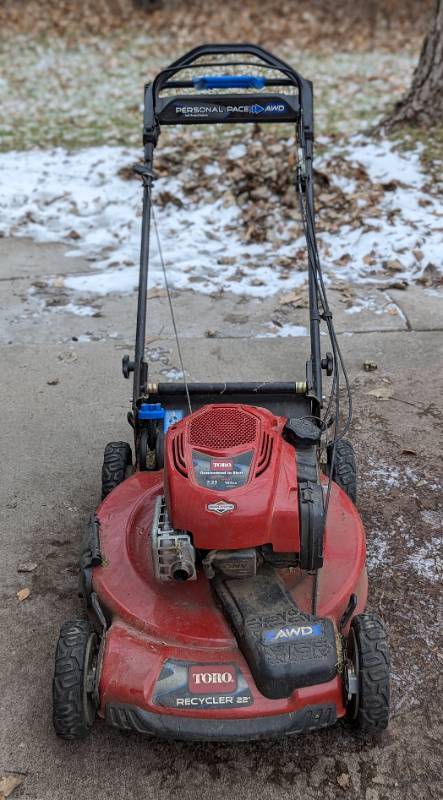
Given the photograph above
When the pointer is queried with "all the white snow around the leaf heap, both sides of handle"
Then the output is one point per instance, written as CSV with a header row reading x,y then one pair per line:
x,y
79,199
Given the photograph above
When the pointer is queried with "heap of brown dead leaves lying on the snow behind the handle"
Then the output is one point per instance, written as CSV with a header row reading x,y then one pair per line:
x,y
260,180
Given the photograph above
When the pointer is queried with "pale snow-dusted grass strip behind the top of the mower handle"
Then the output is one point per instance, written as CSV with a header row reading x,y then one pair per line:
x,y
53,94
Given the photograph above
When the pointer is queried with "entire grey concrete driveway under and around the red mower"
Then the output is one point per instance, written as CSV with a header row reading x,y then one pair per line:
x,y
63,398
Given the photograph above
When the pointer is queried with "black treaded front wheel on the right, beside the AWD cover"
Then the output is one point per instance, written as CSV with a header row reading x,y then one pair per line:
x,y
368,674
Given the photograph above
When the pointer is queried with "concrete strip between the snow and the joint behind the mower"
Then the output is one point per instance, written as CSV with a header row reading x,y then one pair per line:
x,y
37,307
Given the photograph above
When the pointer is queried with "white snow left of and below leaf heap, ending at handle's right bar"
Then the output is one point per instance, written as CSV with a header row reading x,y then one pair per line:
x,y
80,199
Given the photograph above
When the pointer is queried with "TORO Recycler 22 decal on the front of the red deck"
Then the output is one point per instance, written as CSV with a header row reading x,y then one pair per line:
x,y
184,685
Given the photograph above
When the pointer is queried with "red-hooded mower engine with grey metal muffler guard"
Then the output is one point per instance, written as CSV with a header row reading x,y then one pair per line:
x,y
231,499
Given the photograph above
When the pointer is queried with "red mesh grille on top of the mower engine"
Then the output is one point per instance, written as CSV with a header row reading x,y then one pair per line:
x,y
220,428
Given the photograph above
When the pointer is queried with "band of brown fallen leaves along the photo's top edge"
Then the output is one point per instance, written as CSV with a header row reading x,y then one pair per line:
x,y
346,24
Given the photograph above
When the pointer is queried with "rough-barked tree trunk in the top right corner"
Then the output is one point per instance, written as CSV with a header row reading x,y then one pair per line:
x,y
423,103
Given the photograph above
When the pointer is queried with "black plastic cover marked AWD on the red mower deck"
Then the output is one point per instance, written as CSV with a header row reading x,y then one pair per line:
x,y
285,647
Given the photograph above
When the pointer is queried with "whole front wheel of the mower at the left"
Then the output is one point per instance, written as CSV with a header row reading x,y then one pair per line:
x,y
73,687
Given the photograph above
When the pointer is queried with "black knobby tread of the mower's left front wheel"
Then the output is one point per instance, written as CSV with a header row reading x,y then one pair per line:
x,y
67,688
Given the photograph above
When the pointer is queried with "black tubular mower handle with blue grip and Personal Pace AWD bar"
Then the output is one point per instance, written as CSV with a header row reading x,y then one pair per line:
x,y
188,109
